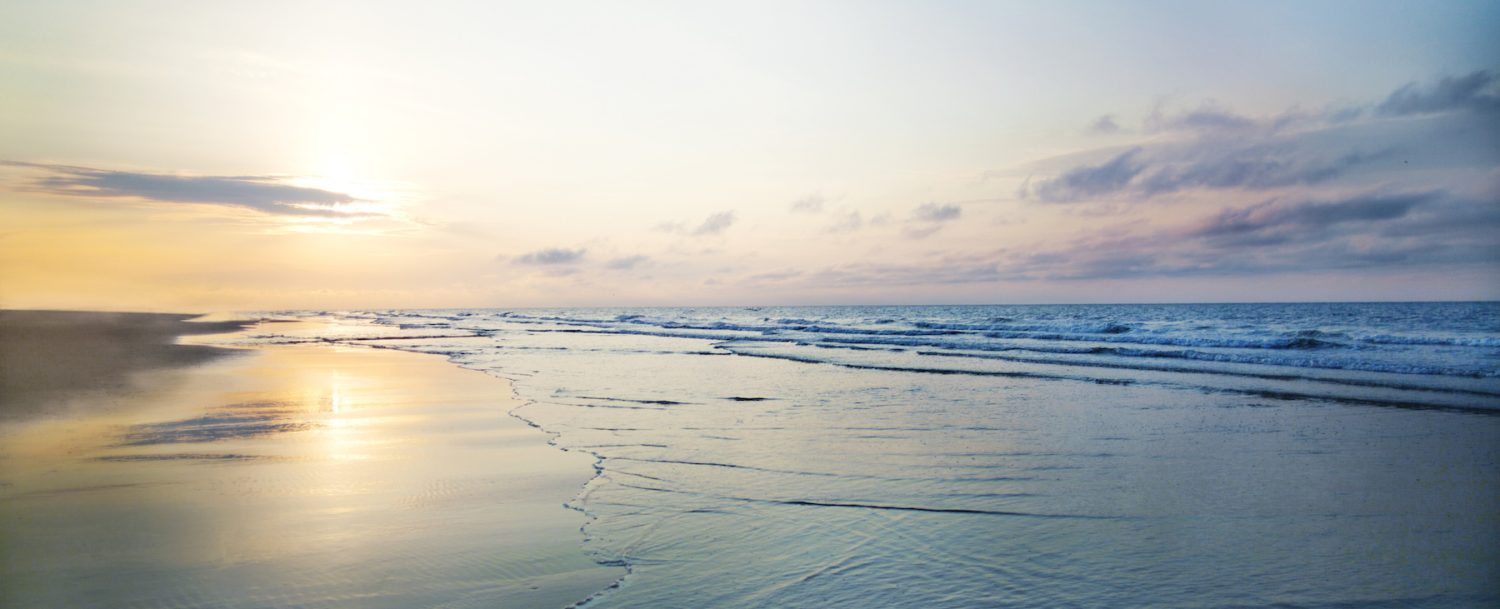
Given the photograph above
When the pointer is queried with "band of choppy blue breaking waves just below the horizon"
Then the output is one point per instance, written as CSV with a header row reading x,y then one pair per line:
x,y
1208,341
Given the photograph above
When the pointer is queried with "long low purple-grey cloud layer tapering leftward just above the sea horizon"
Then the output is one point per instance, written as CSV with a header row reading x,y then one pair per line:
x,y
1370,232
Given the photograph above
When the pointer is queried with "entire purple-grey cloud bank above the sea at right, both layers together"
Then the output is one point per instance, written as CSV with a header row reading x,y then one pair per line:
x,y
1408,184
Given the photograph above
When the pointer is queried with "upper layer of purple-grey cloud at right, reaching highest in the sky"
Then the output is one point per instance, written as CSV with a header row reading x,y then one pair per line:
x,y
1420,137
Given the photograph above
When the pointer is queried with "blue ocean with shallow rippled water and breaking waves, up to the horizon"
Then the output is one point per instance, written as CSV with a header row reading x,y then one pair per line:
x,y
1322,455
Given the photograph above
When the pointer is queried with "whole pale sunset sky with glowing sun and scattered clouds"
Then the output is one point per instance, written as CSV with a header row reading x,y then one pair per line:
x,y
250,157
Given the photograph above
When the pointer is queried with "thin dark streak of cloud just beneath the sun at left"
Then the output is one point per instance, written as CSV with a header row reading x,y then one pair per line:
x,y
266,194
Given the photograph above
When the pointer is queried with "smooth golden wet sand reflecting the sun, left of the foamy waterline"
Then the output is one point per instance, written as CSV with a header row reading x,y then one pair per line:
x,y
292,476
